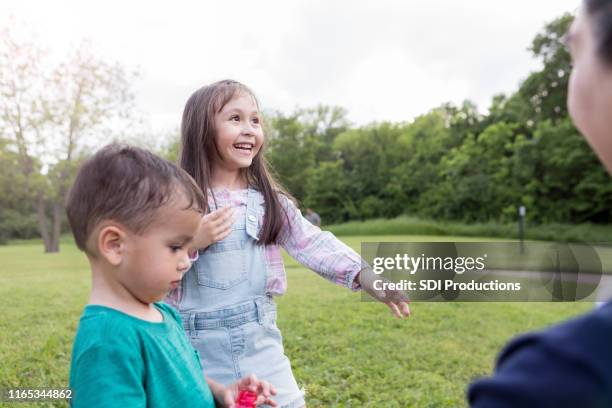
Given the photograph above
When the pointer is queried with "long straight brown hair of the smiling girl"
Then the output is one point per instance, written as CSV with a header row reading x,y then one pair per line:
x,y
198,149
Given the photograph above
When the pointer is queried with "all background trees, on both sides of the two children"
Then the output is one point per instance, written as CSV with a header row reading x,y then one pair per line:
x,y
451,163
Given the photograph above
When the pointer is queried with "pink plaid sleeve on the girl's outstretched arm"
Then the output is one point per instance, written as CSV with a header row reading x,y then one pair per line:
x,y
319,250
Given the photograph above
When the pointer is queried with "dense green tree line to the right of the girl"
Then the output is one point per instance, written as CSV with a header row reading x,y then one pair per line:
x,y
452,163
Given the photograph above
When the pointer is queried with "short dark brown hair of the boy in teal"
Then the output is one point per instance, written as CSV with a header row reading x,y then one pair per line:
x,y
128,185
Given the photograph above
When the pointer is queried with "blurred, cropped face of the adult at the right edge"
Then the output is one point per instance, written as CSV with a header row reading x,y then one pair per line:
x,y
590,89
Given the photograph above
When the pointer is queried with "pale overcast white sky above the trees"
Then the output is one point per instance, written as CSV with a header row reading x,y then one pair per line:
x,y
381,60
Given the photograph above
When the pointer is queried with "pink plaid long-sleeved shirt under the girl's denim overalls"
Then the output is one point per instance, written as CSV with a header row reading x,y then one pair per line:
x,y
318,250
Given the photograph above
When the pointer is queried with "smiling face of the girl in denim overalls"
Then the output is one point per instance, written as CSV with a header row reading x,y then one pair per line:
x,y
239,133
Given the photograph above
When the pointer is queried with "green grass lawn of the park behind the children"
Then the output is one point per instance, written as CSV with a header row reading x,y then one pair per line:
x,y
345,352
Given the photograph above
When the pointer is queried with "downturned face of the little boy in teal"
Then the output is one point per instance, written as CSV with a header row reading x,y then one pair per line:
x,y
155,262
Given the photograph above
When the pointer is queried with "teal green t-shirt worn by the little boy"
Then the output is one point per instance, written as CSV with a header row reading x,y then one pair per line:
x,y
121,361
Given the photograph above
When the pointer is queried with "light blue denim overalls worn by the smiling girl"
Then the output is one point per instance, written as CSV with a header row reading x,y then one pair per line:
x,y
227,315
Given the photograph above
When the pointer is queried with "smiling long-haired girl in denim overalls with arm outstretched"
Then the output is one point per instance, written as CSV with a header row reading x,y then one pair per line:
x,y
226,298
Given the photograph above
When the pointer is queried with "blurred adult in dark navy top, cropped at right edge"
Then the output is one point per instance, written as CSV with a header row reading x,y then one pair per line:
x,y
569,365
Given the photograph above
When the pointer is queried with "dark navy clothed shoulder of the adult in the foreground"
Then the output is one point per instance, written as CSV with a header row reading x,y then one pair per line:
x,y
569,364
